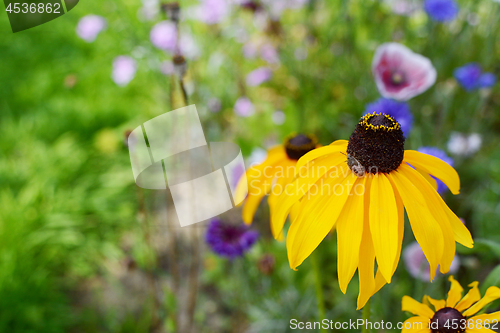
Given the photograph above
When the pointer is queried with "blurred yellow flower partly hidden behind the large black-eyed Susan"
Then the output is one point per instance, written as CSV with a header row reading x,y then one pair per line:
x,y
274,173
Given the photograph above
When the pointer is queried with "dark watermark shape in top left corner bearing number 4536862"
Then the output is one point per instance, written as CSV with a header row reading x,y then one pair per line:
x,y
25,14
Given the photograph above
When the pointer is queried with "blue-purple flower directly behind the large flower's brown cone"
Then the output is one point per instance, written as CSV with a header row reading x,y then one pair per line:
x,y
399,110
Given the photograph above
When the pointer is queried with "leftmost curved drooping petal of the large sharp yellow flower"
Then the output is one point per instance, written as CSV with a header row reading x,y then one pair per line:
x,y
298,188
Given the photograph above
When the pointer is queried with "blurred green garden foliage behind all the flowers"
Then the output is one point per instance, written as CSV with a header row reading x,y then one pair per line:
x,y
77,245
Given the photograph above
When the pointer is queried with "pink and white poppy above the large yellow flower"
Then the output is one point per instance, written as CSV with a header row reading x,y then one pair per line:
x,y
401,74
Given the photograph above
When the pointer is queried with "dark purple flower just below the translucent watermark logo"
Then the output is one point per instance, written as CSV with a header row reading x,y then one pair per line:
x,y
228,240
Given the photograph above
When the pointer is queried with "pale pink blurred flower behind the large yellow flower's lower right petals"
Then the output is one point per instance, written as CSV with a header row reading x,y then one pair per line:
x,y
418,266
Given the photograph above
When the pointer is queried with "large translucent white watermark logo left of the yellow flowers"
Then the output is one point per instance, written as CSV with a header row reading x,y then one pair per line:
x,y
170,150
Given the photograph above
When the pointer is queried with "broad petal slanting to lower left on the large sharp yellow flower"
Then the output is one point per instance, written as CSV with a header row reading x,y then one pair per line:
x,y
307,231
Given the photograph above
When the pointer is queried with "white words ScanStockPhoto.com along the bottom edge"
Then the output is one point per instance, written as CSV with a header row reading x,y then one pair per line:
x,y
353,325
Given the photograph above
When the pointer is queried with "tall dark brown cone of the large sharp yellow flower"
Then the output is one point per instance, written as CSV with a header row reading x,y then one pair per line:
x,y
376,145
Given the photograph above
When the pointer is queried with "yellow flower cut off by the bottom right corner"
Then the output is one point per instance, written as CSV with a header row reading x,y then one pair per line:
x,y
455,315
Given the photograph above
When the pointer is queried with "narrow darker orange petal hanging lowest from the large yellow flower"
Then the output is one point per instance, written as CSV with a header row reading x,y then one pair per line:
x,y
366,257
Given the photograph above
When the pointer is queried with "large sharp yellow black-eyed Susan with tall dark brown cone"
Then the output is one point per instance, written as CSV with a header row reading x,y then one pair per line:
x,y
361,187
